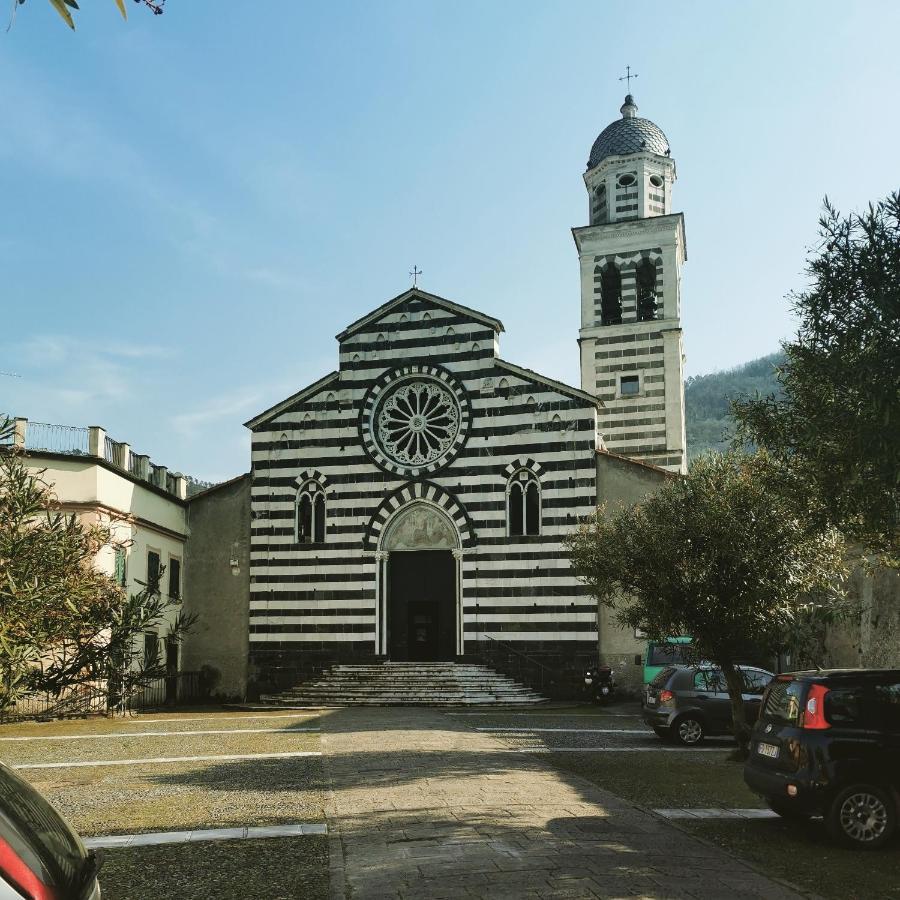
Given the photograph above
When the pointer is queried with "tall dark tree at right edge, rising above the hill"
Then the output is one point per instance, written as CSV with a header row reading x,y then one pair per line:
x,y
836,421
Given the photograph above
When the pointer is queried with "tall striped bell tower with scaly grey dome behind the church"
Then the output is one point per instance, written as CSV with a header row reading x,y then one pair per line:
x,y
631,255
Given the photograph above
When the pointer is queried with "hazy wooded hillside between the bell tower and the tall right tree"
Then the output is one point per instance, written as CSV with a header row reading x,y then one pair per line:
x,y
706,400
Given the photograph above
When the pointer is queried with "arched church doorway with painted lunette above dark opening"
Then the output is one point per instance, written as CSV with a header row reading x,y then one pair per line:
x,y
419,562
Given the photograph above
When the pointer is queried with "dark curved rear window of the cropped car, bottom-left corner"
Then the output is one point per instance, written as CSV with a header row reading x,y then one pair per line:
x,y
26,818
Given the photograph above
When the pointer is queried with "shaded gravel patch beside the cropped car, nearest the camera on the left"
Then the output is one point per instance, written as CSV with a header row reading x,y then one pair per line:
x,y
271,869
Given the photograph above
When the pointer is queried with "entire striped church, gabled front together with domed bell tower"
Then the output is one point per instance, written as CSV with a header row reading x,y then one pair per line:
x,y
414,503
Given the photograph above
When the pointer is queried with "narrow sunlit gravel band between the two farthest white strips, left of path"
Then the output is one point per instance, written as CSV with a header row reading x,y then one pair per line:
x,y
108,748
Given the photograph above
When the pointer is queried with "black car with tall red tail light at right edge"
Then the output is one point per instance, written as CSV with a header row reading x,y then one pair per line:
x,y
828,743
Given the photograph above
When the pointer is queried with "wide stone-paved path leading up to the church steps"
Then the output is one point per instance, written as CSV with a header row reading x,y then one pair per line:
x,y
422,806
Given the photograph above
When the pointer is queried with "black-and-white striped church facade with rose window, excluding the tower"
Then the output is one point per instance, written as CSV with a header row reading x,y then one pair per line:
x,y
414,502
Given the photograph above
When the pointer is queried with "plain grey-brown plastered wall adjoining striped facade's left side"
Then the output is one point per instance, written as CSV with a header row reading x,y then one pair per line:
x,y
217,579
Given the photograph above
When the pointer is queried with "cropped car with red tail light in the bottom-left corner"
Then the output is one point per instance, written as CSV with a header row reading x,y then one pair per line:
x,y
41,857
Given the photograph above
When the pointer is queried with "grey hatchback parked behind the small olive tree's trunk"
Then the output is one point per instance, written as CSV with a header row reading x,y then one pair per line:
x,y
686,703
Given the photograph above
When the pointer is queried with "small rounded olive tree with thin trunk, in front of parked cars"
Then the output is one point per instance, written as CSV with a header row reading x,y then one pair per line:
x,y
722,555
